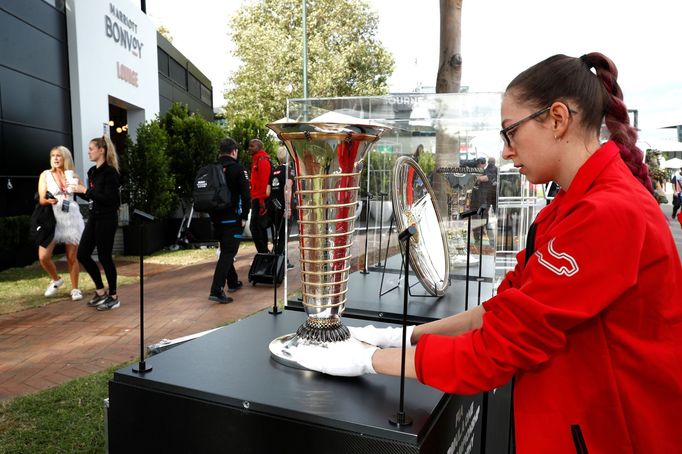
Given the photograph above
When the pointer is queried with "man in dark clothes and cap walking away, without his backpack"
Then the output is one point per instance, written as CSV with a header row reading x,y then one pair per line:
x,y
229,223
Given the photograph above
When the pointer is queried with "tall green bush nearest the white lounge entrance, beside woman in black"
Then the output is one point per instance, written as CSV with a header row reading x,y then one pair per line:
x,y
148,183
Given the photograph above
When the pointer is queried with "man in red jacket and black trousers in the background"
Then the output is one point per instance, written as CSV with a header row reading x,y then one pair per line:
x,y
260,193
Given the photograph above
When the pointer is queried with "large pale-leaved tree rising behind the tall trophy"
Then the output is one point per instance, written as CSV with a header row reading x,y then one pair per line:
x,y
345,58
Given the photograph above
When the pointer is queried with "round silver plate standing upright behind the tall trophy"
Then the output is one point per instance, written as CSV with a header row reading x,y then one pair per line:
x,y
414,204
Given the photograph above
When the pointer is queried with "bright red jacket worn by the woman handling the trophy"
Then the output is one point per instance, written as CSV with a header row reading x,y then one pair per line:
x,y
591,326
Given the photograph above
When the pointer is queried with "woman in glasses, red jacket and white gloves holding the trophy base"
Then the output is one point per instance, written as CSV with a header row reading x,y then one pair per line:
x,y
590,320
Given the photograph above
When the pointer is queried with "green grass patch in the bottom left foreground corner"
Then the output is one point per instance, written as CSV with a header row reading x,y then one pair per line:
x,y
66,419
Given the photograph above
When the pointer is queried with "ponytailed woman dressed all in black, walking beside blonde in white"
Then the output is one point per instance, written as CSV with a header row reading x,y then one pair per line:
x,y
103,194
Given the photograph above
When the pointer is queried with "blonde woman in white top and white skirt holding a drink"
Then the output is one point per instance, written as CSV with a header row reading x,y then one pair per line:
x,y
69,222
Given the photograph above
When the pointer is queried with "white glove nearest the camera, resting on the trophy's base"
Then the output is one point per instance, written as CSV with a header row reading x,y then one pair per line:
x,y
346,359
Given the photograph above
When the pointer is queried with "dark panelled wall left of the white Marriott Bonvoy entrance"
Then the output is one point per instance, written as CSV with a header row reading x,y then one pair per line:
x,y
35,109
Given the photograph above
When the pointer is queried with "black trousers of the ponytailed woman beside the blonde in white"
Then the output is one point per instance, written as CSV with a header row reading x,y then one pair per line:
x,y
99,232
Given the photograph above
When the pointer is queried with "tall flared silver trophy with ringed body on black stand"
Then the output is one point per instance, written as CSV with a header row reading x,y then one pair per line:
x,y
328,159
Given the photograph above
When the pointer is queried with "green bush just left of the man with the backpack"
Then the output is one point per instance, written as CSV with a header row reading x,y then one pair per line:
x,y
192,143
